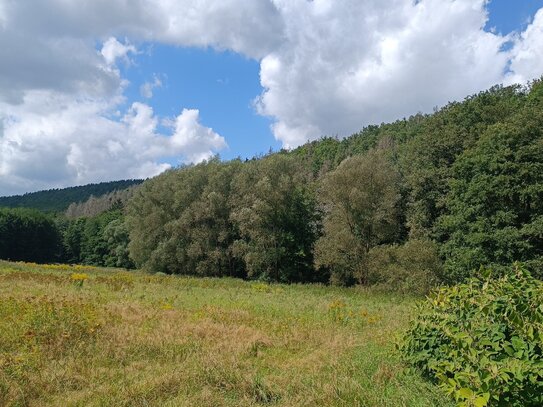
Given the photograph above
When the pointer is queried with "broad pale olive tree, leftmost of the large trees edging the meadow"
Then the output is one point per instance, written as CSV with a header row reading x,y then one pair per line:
x,y
180,222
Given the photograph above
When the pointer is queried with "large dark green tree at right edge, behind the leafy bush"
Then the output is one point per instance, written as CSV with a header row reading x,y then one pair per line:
x,y
495,204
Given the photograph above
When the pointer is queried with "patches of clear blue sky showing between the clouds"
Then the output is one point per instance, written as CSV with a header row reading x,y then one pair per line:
x,y
223,85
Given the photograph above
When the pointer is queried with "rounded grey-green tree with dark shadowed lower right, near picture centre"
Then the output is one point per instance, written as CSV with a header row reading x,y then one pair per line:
x,y
275,212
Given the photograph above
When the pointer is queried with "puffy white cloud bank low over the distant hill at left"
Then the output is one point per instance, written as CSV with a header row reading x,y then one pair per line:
x,y
54,140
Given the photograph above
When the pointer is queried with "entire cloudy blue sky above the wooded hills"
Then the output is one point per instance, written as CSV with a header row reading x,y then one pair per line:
x,y
100,90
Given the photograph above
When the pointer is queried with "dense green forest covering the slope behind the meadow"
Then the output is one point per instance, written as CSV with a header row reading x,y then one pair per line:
x,y
404,206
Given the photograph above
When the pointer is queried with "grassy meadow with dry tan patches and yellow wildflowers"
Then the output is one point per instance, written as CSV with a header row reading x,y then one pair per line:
x,y
80,336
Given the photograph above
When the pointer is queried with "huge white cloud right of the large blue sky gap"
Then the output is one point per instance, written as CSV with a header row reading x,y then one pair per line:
x,y
347,64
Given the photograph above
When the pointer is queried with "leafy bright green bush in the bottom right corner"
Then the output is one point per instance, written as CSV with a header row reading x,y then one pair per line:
x,y
482,341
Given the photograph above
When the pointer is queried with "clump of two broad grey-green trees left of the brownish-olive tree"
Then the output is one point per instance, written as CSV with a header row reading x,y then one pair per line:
x,y
256,219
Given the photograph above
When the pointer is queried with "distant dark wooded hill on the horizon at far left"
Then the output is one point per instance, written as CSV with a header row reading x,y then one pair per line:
x,y
58,200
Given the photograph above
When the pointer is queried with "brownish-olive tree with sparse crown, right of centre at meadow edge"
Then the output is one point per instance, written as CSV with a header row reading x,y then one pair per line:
x,y
360,199
